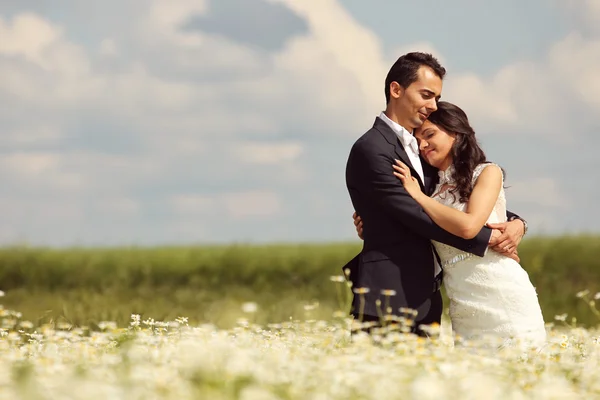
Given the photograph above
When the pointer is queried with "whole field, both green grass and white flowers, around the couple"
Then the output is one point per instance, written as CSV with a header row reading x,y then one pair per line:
x,y
258,322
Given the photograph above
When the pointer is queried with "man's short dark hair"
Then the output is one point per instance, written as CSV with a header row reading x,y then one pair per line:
x,y
404,71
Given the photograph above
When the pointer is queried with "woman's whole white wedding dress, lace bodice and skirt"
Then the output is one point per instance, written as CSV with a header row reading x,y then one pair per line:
x,y
490,296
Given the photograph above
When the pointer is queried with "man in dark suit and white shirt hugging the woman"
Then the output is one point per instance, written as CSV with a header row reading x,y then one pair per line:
x,y
398,264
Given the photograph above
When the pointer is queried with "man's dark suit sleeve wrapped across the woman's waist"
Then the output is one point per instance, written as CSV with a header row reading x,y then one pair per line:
x,y
387,190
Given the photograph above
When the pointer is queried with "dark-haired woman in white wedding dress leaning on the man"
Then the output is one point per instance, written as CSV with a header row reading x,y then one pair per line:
x,y
490,295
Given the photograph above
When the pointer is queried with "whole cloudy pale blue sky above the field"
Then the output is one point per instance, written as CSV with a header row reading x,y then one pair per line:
x,y
147,122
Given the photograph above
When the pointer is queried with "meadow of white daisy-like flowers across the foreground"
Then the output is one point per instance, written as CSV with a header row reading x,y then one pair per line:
x,y
294,359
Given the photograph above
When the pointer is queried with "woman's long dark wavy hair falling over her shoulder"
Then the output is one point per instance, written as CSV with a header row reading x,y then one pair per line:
x,y
466,153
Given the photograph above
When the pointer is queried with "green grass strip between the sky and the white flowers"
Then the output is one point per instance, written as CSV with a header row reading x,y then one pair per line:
x,y
209,284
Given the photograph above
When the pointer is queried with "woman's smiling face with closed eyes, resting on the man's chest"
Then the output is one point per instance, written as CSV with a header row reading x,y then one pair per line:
x,y
435,145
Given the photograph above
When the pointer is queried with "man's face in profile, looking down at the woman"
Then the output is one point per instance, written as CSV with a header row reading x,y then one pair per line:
x,y
419,99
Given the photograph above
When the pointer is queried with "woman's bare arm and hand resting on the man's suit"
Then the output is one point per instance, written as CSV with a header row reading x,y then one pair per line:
x,y
481,203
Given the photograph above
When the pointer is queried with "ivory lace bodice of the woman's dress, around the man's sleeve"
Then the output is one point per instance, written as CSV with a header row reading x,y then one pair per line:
x,y
443,194
